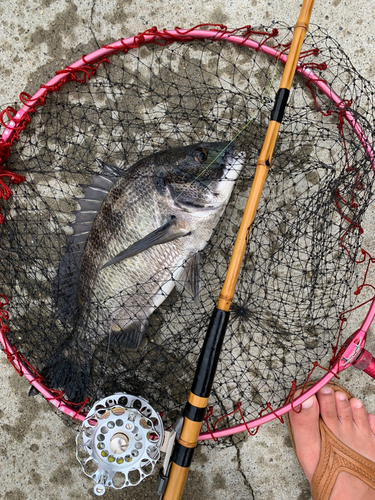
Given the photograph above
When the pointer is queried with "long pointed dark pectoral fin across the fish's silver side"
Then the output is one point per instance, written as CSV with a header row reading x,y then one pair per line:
x,y
168,232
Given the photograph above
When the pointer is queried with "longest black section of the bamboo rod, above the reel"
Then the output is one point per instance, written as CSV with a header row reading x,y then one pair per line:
x,y
209,356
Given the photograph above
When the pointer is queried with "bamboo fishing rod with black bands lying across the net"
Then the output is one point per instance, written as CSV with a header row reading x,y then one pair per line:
x,y
204,375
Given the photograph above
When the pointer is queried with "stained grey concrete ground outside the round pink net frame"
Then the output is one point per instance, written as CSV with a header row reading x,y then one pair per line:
x,y
37,452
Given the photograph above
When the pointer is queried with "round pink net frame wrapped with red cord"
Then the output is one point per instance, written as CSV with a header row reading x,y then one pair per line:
x,y
81,71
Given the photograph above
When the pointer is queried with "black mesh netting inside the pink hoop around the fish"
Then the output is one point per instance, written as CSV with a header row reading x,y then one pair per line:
x,y
296,278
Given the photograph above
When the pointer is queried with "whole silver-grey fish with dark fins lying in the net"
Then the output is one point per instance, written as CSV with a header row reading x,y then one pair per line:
x,y
137,234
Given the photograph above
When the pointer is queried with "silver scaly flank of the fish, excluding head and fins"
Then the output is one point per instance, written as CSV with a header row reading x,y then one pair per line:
x,y
131,290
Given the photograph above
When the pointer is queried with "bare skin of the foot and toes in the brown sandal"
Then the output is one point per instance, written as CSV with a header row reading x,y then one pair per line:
x,y
349,422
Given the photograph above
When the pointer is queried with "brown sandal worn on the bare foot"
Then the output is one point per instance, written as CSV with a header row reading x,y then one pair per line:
x,y
335,457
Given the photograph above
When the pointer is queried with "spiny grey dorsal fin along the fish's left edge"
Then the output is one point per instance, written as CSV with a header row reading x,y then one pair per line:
x,y
65,284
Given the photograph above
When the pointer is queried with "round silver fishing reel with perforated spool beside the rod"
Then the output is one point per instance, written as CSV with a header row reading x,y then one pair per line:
x,y
119,442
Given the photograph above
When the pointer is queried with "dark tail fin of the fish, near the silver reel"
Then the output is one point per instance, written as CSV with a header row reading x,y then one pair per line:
x,y
64,372
